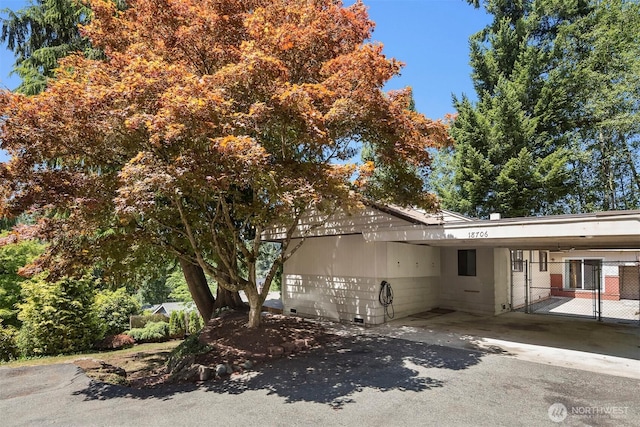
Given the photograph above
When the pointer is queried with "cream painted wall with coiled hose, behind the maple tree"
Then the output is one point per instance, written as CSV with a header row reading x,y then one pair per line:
x,y
338,277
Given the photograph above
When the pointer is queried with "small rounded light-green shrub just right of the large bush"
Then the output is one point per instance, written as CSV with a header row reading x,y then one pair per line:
x,y
114,308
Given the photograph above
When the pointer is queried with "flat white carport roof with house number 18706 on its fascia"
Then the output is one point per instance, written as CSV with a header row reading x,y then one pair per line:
x,y
601,230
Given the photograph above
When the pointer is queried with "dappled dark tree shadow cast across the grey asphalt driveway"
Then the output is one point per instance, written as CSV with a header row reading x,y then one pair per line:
x,y
330,375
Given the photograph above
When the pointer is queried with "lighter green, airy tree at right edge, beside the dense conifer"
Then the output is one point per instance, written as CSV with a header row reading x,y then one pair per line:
x,y
600,73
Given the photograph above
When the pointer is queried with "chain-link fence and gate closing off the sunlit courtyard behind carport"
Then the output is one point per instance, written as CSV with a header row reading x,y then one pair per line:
x,y
606,291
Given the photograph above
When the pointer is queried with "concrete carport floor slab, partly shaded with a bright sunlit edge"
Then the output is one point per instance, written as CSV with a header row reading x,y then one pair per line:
x,y
575,343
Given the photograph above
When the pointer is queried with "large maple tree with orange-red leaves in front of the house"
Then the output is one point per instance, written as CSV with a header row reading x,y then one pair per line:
x,y
208,123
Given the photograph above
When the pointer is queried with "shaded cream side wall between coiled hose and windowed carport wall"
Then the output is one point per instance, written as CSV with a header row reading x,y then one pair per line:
x,y
414,274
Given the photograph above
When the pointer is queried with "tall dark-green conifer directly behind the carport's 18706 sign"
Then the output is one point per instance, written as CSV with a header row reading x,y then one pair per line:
x,y
511,156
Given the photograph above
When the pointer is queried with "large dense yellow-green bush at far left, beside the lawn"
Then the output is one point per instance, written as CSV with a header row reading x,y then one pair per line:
x,y
57,317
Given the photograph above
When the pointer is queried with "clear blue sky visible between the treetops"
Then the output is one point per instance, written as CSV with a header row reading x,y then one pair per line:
x,y
429,36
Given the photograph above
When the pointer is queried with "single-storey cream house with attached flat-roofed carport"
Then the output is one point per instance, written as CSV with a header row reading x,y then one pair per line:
x,y
443,261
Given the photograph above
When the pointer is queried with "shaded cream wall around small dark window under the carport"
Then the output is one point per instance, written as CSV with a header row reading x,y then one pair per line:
x,y
475,294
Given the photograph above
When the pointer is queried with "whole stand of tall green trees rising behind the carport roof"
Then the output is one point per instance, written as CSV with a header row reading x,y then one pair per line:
x,y
555,125
